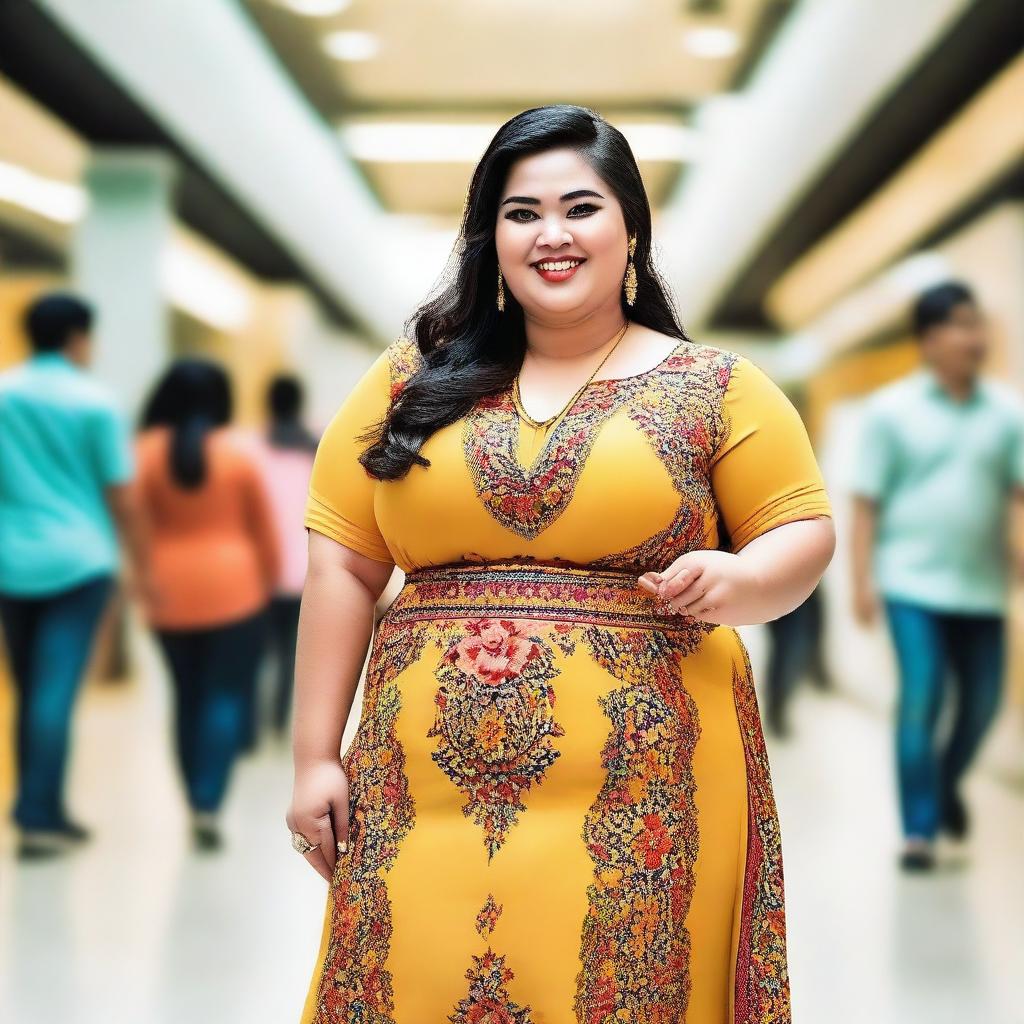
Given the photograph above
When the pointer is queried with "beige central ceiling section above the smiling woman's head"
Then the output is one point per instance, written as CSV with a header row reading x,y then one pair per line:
x,y
478,63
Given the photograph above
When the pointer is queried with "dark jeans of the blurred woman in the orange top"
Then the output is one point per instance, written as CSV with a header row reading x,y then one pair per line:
x,y
215,676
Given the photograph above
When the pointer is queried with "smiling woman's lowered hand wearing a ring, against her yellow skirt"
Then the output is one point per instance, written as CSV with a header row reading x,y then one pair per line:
x,y
320,812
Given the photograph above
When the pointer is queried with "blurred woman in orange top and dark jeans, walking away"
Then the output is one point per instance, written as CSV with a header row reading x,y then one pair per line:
x,y
215,560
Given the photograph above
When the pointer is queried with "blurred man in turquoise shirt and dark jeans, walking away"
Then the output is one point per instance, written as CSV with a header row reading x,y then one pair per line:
x,y
65,471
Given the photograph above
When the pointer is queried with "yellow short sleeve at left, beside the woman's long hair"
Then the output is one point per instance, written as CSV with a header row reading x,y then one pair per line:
x,y
340,503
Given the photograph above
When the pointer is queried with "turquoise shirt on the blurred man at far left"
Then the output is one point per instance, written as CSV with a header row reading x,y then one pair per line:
x,y
63,442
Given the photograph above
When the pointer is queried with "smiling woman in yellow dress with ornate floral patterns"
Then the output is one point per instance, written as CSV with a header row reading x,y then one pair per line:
x,y
558,805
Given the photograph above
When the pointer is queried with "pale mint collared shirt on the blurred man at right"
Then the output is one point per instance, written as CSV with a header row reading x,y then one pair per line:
x,y
942,472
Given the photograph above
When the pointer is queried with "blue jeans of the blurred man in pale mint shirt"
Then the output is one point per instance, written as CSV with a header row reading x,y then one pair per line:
x,y
928,645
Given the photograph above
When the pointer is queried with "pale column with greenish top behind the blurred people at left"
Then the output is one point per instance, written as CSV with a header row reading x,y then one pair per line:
x,y
118,254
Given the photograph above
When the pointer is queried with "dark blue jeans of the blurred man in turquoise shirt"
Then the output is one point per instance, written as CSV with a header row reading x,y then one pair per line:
x,y
50,641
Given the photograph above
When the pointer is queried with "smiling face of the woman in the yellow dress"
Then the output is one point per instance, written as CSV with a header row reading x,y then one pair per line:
x,y
556,207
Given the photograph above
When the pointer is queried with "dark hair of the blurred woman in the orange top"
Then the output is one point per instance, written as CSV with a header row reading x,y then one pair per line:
x,y
193,398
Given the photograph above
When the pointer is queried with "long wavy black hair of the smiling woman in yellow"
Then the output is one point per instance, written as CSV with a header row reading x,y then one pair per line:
x,y
471,350
